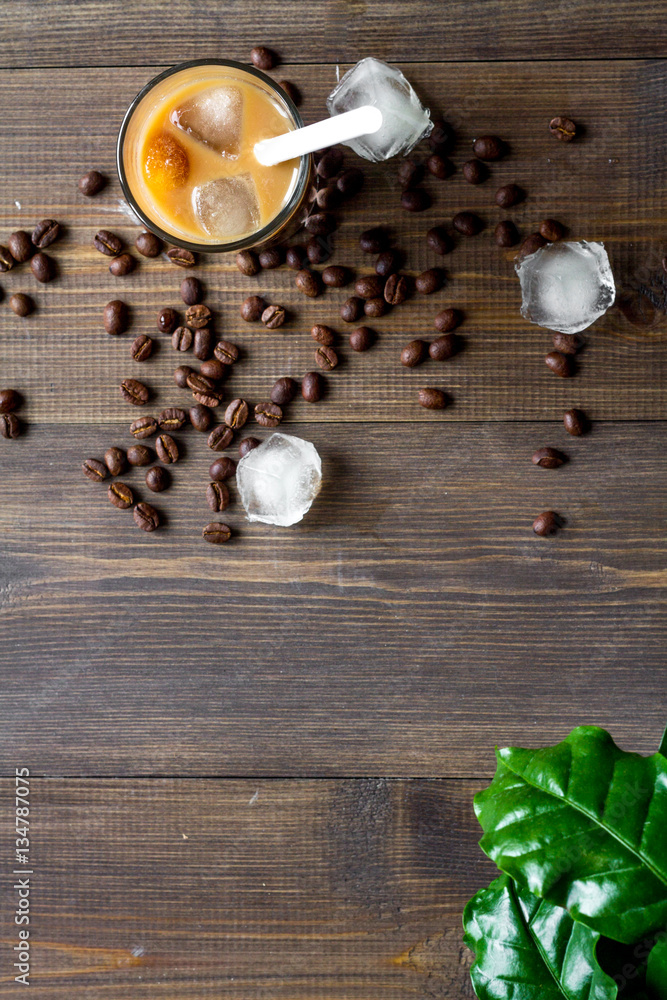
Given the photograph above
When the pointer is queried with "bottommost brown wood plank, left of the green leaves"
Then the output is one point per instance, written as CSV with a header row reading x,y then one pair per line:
x,y
249,889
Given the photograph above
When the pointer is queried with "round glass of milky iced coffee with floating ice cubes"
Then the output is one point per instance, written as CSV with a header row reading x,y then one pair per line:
x,y
186,162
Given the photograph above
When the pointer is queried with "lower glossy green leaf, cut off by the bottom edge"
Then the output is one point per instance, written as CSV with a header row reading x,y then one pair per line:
x,y
528,949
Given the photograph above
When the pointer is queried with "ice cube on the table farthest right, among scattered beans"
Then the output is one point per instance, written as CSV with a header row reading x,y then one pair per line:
x,y
566,286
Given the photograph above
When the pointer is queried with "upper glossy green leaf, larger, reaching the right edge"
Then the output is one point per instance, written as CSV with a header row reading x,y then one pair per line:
x,y
583,824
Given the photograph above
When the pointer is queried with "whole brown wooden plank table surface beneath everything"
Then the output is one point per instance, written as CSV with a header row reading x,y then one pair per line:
x,y
253,766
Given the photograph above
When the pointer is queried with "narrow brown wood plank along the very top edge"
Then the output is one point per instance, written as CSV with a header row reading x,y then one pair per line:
x,y
98,33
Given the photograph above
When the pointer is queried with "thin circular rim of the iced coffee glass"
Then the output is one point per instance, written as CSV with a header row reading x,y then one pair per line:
x,y
262,235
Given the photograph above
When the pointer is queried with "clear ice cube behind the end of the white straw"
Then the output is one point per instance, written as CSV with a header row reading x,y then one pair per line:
x,y
405,120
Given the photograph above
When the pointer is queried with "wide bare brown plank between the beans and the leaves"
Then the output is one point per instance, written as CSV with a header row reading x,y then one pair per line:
x,y
411,622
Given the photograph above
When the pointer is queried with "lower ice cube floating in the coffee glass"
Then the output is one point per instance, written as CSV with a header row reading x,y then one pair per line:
x,y
227,208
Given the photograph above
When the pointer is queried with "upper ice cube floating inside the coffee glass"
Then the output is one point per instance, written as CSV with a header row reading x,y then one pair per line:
x,y
214,117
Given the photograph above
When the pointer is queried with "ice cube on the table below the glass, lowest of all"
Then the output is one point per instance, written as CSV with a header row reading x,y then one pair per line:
x,y
279,480
